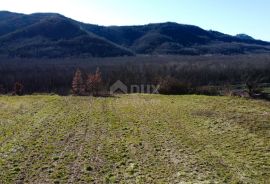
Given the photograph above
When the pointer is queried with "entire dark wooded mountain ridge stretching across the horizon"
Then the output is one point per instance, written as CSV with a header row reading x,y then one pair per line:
x,y
53,35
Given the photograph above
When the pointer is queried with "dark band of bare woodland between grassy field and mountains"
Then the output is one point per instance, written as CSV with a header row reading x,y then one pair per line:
x,y
175,74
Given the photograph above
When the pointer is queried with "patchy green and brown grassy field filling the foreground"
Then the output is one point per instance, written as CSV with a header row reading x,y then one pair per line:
x,y
134,139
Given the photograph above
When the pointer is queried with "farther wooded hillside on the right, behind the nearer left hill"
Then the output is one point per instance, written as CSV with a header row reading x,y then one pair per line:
x,y
173,38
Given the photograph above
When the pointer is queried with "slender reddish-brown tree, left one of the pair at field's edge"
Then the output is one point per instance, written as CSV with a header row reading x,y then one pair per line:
x,y
78,87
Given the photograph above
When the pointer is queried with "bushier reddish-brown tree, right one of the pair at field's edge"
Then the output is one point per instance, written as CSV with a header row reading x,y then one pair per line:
x,y
94,83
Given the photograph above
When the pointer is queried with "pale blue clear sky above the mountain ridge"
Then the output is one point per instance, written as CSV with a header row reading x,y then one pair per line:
x,y
251,17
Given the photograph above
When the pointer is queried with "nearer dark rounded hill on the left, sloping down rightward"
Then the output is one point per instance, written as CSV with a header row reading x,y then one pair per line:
x,y
52,35
